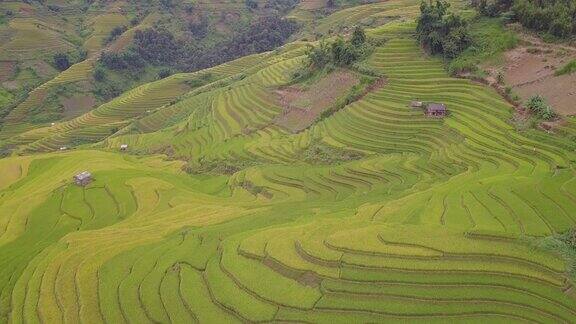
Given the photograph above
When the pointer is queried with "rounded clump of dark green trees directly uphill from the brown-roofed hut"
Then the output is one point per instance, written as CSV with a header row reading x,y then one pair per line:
x,y
442,32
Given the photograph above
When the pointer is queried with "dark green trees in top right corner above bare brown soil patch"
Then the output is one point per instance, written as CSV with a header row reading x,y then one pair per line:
x,y
555,17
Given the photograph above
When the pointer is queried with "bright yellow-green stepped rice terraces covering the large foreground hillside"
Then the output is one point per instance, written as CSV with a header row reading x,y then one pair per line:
x,y
215,211
